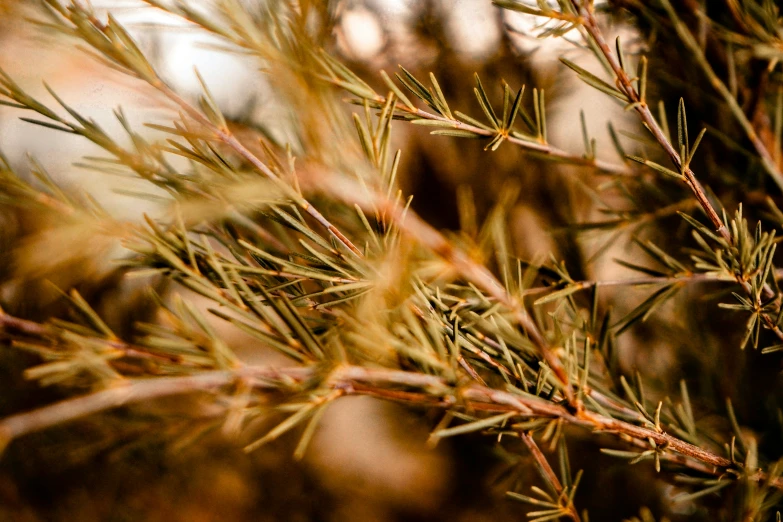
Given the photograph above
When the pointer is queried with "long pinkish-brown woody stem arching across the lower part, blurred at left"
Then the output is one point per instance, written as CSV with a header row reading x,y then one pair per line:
x,y
357,380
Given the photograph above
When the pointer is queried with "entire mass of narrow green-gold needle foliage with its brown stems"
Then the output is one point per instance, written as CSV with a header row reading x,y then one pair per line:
x,y
323,261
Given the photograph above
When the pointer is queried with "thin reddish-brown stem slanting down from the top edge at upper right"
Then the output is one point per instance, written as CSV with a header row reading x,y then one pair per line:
x,y
624,83
